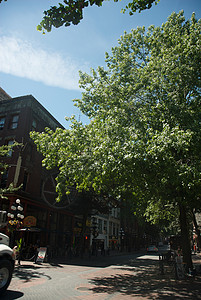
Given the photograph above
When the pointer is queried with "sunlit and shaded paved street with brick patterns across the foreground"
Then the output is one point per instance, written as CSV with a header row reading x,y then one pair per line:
x,y
104,278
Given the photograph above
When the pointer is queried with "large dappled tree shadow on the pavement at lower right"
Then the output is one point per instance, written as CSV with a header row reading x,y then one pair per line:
x,y
143,279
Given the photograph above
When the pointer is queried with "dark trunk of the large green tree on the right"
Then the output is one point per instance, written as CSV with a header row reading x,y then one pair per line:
x,y
185,239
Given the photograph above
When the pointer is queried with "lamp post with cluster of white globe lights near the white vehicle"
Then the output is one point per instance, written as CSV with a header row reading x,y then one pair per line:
x,y
16,216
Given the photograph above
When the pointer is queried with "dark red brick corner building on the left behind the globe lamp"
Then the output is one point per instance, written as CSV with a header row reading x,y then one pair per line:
x,y
54,223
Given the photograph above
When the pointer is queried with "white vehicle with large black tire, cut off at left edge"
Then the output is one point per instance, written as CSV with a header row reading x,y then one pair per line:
x,y
7,263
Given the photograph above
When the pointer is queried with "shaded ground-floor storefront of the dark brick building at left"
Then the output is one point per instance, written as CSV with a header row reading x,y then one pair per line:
x,y
42,225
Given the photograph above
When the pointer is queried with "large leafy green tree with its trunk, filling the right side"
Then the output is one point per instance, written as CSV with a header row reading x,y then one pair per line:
x,y
144,137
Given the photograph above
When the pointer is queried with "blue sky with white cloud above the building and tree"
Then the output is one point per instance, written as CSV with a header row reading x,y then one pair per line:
x,y
47,66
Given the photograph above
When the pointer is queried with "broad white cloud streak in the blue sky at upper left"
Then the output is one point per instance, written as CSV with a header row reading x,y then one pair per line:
x,y
21,59
